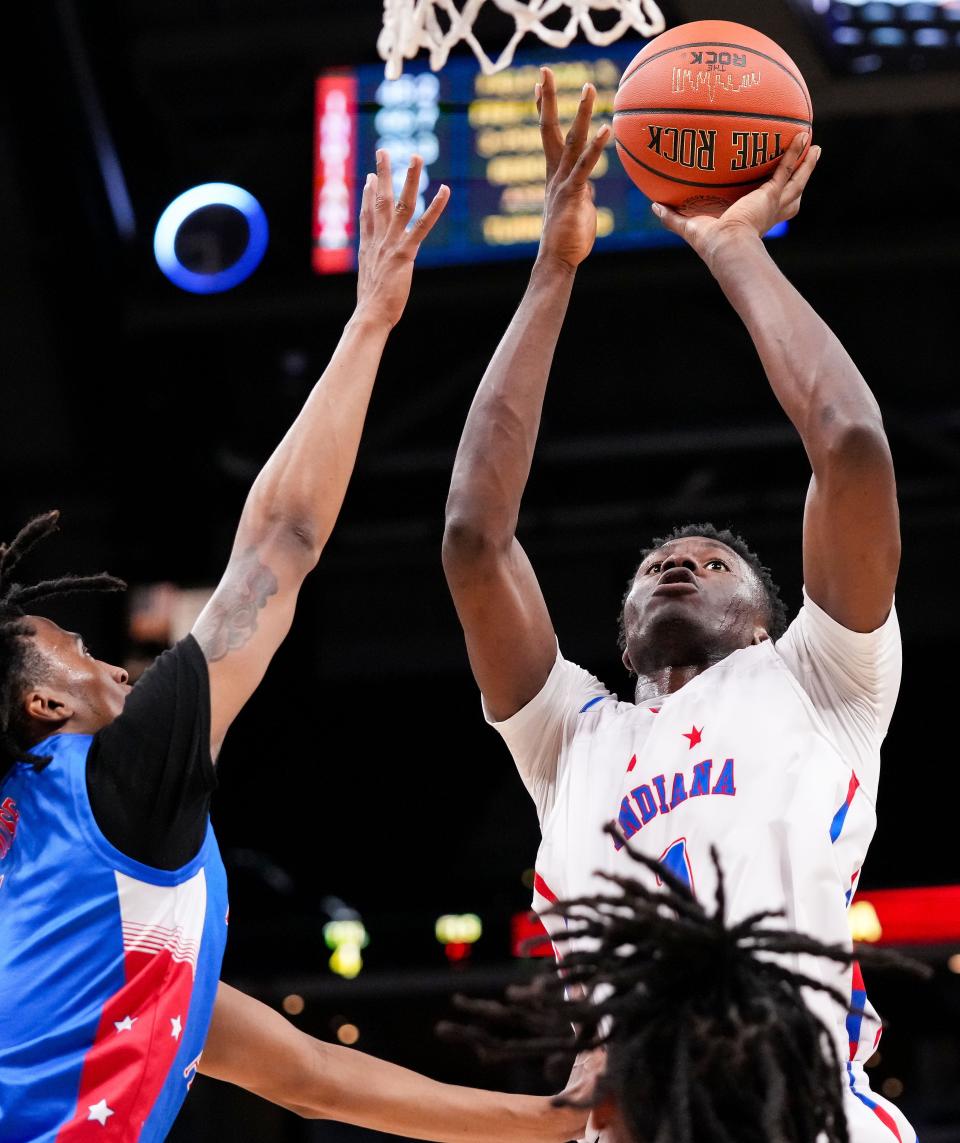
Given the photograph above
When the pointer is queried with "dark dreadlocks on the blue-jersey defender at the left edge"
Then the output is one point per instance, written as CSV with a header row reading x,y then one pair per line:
x,y
21,664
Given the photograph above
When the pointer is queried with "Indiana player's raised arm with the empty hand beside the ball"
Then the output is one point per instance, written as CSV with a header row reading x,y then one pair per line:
x,y
510,638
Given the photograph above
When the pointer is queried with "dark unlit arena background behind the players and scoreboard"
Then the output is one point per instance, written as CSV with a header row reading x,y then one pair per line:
x,y
363,769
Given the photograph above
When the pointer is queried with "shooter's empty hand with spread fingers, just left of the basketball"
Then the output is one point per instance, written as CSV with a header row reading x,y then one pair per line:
x,y
570,217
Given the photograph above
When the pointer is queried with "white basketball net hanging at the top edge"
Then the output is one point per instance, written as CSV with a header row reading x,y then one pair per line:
x,y
414,26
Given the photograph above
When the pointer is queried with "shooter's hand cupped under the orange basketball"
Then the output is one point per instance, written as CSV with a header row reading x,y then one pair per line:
x,y
777,201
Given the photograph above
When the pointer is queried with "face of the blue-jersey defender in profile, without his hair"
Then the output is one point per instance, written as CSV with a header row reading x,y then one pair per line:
x,y
73,691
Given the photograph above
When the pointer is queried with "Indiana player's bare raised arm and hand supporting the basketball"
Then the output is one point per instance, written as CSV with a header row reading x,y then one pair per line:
x,y
851,524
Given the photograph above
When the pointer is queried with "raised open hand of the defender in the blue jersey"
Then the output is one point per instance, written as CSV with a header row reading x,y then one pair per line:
x,y
388,249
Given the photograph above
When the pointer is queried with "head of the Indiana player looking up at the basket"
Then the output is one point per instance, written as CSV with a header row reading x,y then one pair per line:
x,y
698,596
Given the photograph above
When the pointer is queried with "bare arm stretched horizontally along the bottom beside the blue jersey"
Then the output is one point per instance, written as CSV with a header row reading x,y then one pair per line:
x,y
255,1048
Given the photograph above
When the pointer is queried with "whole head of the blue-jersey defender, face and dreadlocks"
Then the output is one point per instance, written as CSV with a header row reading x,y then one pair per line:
x,y
50,682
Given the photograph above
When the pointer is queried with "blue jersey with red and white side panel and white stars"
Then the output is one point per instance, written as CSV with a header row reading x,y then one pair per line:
x,y
109,969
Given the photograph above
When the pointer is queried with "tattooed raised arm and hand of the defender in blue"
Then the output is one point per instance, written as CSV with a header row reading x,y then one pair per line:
x,y
295,501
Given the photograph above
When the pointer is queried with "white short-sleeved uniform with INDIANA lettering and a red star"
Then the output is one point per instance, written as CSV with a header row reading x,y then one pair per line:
x,y
773,756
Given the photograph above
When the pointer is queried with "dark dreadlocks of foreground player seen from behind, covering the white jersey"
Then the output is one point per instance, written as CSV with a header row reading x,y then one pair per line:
x,y
708,1038
